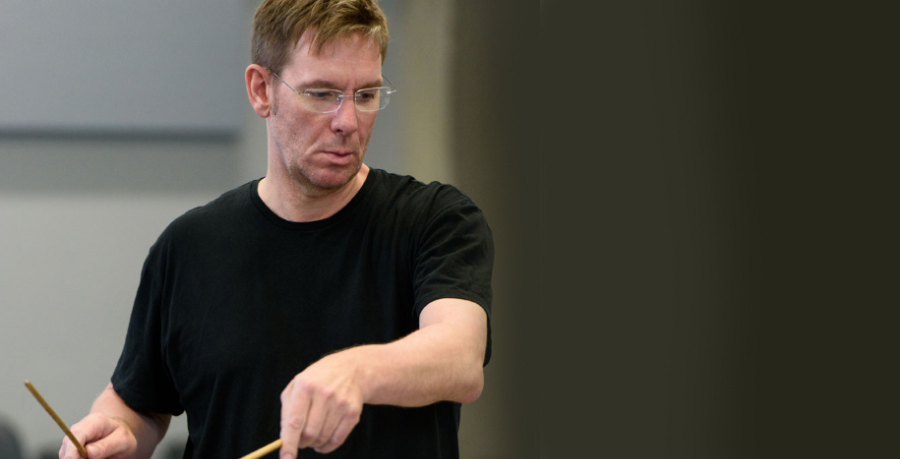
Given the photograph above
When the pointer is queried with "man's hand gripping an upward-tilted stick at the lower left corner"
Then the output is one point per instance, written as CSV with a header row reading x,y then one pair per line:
x,y
103,438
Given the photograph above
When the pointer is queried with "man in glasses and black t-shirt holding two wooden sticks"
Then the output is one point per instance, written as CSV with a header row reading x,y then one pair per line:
x,y
358,296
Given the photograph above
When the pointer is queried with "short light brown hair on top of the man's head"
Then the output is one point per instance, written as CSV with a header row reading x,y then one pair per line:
x,y
279,24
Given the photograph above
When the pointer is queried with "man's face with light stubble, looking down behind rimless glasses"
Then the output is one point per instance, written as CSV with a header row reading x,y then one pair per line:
x,y
322,152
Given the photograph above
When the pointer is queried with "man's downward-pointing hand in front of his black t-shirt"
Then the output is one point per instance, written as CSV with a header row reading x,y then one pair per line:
x,y
321,405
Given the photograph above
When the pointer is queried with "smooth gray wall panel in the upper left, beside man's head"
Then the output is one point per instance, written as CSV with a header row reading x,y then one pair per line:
x,y
122,66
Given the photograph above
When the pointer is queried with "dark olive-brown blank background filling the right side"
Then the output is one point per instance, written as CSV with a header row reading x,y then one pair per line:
x,y
703,204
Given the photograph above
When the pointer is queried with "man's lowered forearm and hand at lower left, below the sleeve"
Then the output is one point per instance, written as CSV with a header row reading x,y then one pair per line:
x,y
115,430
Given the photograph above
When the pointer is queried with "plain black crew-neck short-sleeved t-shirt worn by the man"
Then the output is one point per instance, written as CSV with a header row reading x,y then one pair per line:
x,y
234,301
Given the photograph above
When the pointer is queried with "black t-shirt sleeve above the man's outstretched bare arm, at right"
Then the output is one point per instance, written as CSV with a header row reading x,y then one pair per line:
x,y
455,255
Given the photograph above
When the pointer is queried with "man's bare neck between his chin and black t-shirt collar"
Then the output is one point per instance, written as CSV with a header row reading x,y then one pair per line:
x,y
292,203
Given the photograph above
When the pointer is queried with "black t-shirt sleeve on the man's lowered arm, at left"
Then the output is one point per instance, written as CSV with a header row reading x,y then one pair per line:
x,y
141,377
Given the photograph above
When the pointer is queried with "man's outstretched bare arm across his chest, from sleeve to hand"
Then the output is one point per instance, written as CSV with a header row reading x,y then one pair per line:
x,y
442,360
